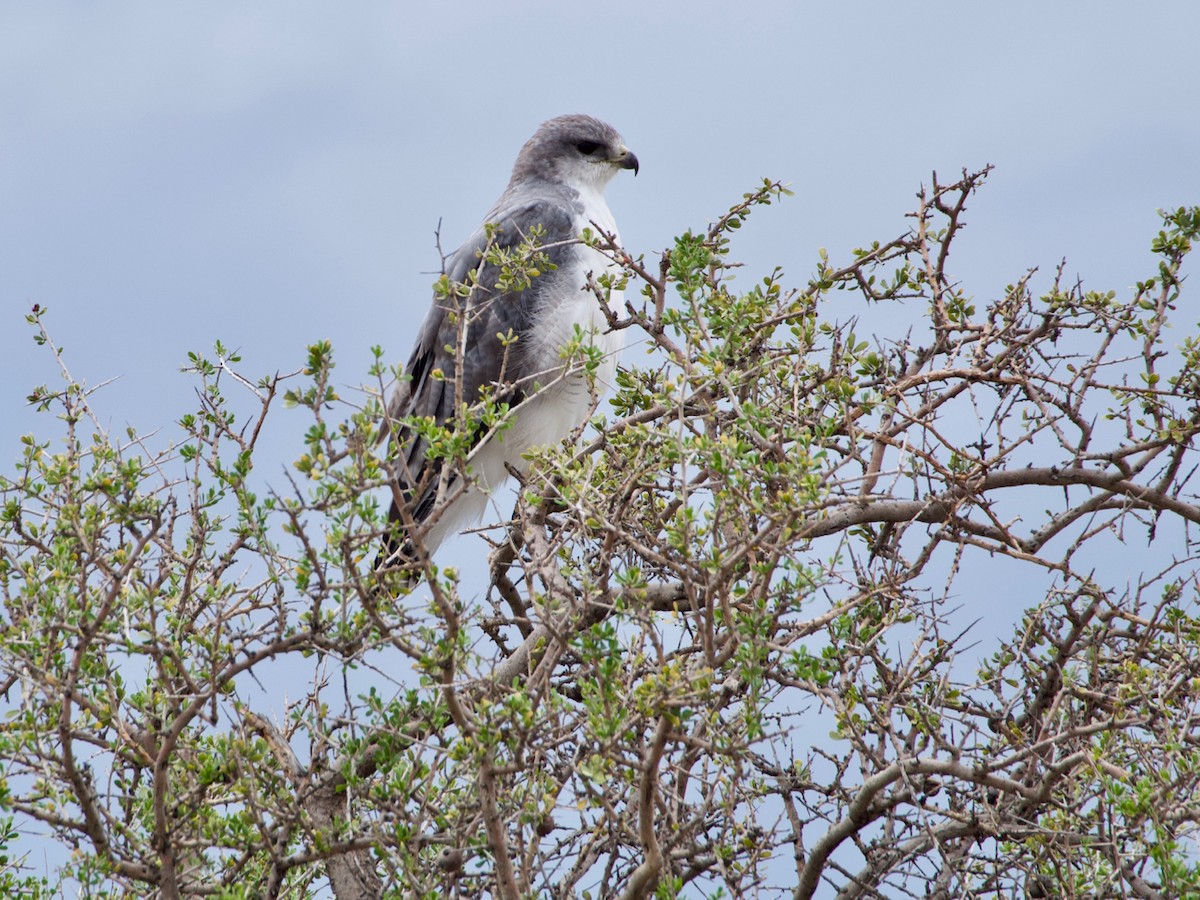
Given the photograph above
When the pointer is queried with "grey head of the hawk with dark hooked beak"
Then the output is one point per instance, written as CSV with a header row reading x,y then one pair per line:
x,y
577,151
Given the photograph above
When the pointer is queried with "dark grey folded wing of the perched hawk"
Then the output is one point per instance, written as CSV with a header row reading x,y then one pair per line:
x,y
487,363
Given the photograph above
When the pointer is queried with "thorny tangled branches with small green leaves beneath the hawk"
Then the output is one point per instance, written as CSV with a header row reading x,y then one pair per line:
x,y
728,644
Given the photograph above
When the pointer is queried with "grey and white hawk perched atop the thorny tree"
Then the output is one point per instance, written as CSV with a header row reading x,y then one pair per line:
x,y
509,338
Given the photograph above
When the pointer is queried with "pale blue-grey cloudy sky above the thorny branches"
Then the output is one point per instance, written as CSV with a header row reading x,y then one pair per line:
x,y
272,175
